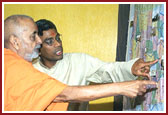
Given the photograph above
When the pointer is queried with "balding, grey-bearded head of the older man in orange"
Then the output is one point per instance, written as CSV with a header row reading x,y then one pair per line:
x,y
20,36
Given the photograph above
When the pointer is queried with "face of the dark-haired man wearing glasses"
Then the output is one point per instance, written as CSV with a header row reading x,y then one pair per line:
x,y
51,45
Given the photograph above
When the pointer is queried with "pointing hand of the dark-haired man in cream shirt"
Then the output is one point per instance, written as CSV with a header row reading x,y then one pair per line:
x,y
141,68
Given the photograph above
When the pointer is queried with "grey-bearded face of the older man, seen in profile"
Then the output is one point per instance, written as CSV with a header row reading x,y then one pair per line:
x,y
30,40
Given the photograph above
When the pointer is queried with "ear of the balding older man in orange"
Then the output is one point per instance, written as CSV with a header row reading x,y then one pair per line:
x,y
14,41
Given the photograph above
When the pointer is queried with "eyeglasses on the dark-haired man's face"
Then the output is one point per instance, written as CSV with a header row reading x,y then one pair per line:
x,y
50,41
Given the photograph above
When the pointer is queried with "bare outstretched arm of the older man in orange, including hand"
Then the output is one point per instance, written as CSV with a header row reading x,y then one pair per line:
x,y
88,93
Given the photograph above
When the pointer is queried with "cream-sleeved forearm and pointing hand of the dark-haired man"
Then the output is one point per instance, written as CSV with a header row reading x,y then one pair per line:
x,y
122,71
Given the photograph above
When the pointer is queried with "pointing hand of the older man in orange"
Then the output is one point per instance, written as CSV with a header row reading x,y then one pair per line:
x,y
137,87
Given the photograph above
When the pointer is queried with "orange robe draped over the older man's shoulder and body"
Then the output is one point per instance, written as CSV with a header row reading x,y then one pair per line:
x,y
27,89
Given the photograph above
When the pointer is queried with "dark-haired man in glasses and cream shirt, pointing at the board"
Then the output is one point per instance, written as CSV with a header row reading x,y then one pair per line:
x,y
79,68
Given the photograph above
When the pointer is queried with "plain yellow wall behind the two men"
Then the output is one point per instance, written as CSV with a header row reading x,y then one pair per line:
x,y
88,28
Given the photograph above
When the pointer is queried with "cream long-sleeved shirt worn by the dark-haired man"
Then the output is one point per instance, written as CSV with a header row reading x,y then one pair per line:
x,y
81,69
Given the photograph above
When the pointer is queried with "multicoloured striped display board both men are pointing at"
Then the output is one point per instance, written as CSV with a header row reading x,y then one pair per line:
x,y
146,40
